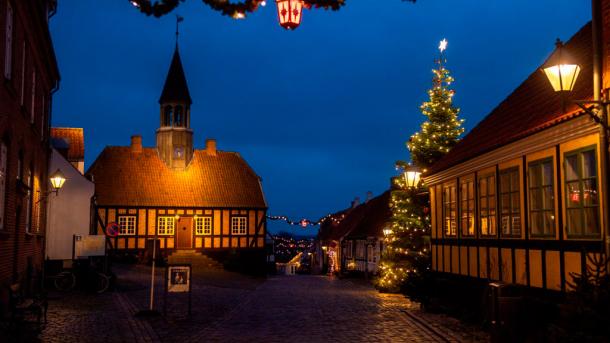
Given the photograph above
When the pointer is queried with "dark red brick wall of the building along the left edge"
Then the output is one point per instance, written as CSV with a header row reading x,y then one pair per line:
x,y
26,94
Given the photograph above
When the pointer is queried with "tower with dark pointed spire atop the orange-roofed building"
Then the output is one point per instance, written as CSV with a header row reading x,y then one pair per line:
x,y
174,135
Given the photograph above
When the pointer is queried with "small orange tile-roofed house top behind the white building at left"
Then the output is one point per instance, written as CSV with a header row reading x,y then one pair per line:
x,y
70,143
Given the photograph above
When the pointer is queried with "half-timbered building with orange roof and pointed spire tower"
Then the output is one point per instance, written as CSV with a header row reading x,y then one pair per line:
x,y
194,199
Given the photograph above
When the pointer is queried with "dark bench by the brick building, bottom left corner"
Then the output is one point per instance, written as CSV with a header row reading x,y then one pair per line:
x,y
22,307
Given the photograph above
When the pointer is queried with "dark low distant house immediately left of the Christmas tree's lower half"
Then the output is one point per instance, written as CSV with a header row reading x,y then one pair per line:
x,y
363,245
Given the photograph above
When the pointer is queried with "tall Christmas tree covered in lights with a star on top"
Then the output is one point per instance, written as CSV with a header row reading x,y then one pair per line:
x,y
406,259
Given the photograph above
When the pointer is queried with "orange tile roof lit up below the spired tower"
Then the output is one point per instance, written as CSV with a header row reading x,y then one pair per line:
x,y
125,178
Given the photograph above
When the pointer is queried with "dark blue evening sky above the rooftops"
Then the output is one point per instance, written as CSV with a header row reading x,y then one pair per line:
x,y
320,113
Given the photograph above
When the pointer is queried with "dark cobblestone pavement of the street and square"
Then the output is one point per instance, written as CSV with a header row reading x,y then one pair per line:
x,y
228,307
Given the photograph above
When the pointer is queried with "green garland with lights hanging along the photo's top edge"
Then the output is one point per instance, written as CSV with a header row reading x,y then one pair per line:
x,y
159,8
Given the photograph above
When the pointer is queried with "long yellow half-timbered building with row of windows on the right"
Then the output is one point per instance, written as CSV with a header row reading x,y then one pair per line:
x,y
519,198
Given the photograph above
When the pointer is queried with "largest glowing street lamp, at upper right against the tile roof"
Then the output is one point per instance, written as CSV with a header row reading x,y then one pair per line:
x,y
561,70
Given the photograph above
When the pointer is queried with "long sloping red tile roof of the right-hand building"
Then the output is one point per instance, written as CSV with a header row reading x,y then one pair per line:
x,y
532,107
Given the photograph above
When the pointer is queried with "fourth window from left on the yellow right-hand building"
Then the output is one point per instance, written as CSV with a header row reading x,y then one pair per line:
x,y
510,202
